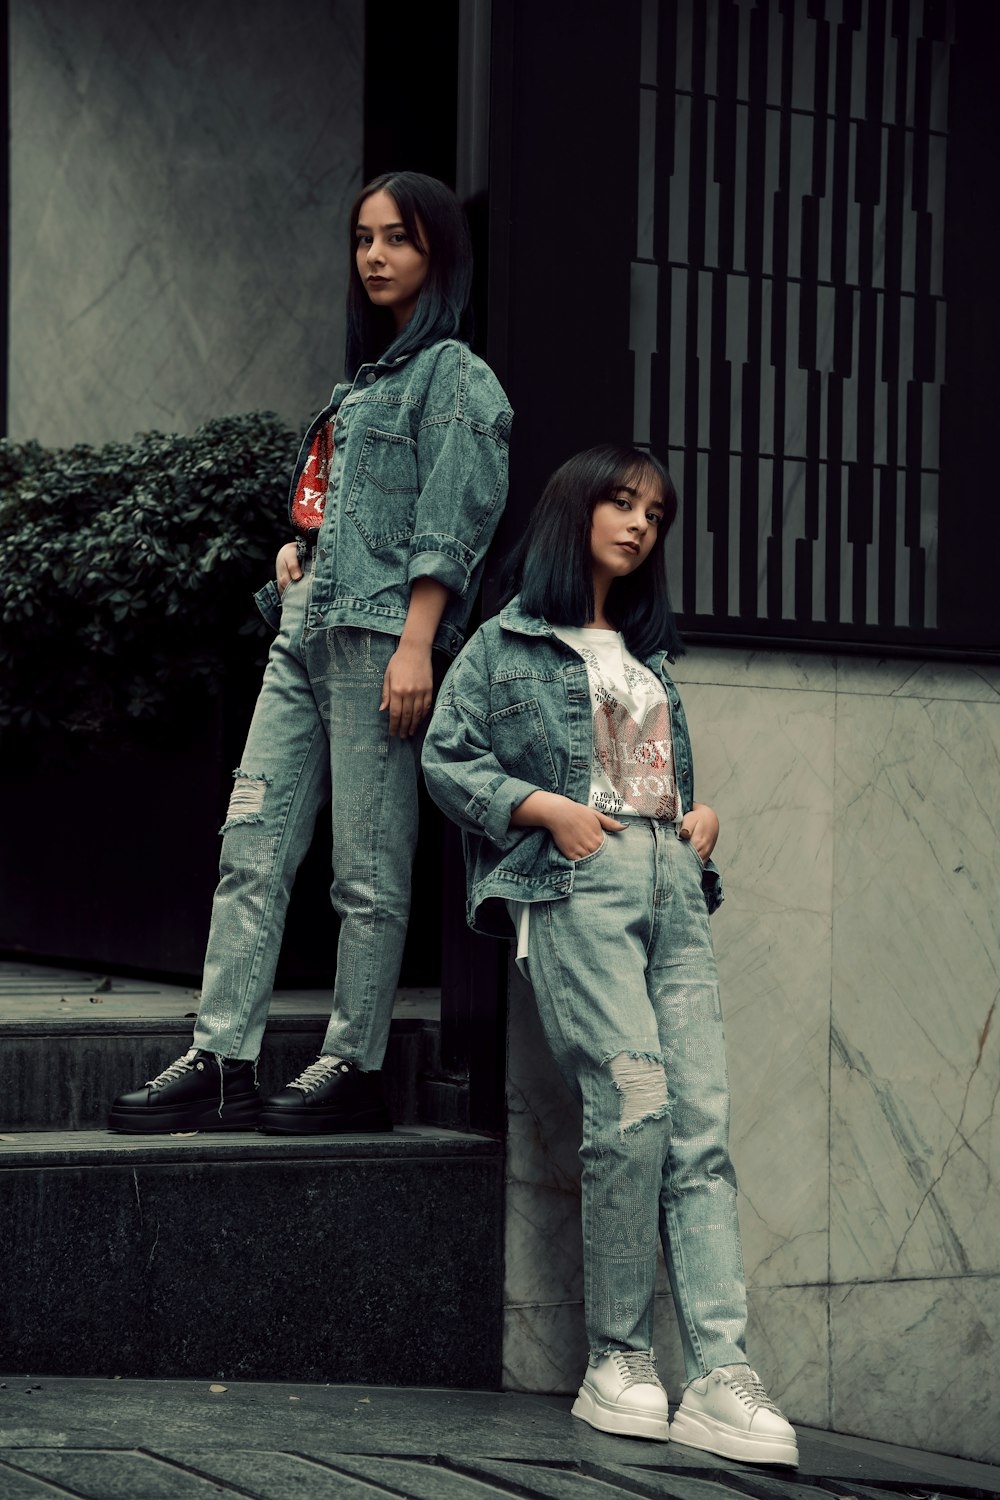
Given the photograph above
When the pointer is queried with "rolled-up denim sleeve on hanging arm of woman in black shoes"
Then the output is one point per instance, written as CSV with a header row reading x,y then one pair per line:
x,y
463,472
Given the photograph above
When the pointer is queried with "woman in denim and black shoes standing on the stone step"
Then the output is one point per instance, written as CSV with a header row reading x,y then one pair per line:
x,y
400,485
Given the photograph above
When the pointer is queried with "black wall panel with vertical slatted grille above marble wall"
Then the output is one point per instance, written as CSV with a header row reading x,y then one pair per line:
x,y
758,238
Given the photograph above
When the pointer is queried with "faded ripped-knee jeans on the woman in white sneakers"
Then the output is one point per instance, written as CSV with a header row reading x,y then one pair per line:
x,y
627,989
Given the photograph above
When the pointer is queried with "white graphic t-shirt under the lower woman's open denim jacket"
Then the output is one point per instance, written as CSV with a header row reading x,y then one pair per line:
x,y
632,772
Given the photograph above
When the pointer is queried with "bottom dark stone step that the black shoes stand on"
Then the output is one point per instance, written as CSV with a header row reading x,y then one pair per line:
x,y
241,1256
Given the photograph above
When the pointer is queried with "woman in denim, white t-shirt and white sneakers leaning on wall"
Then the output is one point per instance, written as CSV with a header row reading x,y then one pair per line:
x,y
561,749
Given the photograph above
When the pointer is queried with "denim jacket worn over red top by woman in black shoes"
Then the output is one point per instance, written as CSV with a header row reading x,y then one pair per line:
x,y
416,490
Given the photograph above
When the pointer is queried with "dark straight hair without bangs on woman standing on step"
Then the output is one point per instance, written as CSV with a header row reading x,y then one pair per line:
x,y
443,307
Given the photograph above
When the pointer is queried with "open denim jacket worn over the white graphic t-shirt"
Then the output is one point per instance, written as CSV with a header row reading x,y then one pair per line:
x,y
515,716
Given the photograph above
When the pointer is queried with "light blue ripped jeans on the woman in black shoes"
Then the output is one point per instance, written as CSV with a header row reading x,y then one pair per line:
x,y
317,736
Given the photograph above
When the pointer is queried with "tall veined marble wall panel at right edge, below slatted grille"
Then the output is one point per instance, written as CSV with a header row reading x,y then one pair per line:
x,y
917,977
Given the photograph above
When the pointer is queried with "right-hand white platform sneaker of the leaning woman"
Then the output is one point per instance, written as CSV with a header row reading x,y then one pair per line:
x,y
729,1414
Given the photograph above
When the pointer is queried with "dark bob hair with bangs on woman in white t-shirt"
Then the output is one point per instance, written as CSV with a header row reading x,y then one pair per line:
x,y
552,563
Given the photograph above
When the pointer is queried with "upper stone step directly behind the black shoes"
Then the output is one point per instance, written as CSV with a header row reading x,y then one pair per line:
x,y
70,1043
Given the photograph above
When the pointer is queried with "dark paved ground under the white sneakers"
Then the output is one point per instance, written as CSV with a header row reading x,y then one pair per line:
x,y
190,1441
